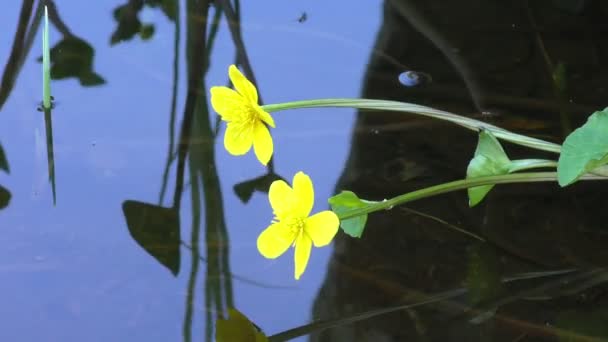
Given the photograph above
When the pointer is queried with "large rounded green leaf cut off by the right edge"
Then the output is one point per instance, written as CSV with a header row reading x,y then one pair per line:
x,y
584,149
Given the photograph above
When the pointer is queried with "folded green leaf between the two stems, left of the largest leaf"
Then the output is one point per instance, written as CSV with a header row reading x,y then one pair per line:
x,y
489,160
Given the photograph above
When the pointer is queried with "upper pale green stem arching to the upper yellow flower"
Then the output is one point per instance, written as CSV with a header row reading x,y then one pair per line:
x,y
397,106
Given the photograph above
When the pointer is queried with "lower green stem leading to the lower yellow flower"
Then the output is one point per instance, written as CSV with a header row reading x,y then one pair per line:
x,y
454,186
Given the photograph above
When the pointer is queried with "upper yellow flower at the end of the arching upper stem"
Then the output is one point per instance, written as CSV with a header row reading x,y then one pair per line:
x,y
244,116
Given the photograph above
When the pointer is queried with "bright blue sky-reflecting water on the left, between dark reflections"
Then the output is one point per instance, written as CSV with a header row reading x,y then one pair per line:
x,y
71,272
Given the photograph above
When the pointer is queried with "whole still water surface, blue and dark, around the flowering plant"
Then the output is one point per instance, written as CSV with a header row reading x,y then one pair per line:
x,y
167,269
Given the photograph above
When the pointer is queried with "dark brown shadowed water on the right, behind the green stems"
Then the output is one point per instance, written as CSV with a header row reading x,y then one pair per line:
x,y
485,57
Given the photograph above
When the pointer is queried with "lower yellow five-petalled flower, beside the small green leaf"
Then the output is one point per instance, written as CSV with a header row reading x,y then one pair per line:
x,y
292,226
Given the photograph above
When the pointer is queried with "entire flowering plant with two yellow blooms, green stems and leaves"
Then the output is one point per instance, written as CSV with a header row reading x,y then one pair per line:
x,y
584,156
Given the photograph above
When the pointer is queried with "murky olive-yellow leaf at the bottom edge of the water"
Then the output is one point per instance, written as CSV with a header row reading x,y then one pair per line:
x,y
237,328
